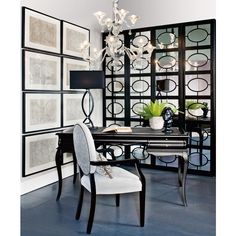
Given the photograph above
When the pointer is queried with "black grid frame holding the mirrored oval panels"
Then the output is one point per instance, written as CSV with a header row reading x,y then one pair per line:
x,y
204,125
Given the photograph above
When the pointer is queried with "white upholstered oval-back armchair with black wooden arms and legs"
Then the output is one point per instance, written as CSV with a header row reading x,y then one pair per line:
x,y
120,181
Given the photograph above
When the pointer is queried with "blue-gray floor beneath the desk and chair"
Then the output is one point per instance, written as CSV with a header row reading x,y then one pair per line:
x,y
41,215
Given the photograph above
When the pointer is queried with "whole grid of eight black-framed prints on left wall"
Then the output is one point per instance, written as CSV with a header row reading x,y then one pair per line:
x,y
46,94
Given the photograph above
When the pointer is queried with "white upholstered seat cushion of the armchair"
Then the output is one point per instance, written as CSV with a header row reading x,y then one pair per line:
x,y
123,181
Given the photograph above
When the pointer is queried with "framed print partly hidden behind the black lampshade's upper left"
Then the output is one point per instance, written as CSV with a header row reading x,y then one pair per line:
x,y
72,64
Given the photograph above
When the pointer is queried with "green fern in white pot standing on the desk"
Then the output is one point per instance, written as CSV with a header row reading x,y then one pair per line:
x,y
153,112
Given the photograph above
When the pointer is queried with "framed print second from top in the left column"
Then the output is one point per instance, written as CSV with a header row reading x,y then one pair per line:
x,y
41,71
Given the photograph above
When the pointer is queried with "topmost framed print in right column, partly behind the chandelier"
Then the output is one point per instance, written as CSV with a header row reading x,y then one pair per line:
x,y
73,37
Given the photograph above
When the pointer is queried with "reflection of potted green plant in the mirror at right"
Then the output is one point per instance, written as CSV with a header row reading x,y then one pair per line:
x,y
194,108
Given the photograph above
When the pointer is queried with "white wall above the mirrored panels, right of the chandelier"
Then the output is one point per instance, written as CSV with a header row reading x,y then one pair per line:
x,y
161,12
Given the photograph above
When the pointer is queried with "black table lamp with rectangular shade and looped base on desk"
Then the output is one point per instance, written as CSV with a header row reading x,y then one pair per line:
x,y
87,80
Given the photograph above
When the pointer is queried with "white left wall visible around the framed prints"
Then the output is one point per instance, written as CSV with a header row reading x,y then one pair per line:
x,y
79,12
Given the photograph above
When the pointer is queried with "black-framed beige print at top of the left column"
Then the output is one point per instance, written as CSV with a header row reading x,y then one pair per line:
x,y
41,31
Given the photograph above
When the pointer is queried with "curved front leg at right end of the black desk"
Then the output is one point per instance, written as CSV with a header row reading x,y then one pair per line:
x,y
182,174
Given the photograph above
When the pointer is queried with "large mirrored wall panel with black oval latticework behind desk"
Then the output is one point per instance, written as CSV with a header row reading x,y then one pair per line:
x,y
181,72
